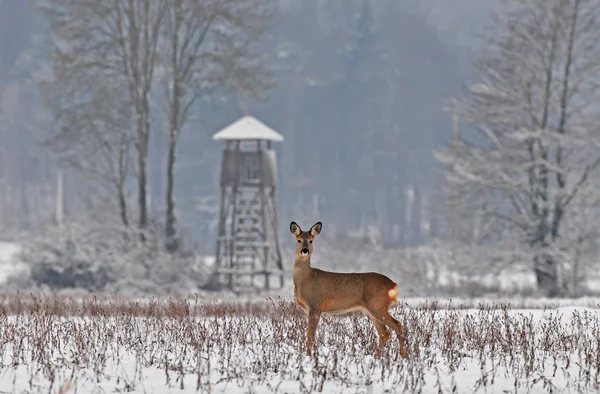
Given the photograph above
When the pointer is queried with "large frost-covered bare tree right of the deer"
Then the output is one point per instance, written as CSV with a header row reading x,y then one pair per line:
x,y
535,140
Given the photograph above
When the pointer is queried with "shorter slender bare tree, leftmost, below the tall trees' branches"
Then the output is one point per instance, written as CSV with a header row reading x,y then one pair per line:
x,y
93,136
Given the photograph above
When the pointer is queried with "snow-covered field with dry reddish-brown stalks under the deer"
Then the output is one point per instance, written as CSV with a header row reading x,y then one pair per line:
x,y
107,344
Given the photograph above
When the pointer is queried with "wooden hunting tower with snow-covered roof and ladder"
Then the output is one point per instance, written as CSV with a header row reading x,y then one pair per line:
x,y
248,253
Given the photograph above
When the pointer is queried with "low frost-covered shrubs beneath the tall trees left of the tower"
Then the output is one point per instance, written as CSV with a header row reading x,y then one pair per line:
x,y
104,257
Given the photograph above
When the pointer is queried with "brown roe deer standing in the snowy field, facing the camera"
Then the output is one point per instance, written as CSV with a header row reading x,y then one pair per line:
x,y
318,291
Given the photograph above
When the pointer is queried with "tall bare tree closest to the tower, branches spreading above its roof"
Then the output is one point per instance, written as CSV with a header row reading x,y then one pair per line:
x,y
210,45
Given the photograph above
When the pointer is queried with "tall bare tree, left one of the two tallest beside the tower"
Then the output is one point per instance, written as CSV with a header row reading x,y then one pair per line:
x,y
111,40
